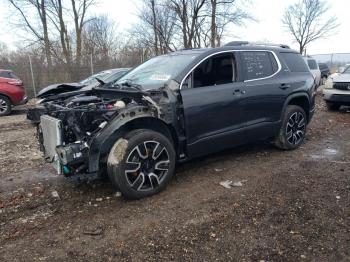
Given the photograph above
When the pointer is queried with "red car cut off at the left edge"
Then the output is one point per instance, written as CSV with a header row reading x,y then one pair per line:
x,y
12,92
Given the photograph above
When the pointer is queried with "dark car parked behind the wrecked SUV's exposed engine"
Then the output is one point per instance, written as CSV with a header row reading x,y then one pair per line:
x,y
91,81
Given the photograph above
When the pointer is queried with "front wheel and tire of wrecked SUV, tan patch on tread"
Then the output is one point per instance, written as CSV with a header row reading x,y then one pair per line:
x,y
141,163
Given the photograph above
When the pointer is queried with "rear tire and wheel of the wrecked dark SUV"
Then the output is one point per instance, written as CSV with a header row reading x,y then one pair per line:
x,y
293,128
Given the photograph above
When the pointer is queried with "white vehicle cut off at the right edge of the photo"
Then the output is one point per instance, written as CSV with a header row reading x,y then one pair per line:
x,y
337,90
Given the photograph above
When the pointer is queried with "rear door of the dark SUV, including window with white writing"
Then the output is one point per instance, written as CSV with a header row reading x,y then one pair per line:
x,y
265,93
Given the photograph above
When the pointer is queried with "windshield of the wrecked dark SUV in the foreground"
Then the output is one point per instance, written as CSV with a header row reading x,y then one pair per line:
x,y
157,71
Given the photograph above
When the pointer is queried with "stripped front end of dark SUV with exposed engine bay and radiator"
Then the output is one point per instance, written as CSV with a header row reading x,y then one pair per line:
x,y
81,122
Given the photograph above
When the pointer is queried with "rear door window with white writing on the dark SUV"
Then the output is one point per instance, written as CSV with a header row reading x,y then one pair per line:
x,y
258,64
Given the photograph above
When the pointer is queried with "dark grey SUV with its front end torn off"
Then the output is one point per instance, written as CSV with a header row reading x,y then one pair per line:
x,y
177,107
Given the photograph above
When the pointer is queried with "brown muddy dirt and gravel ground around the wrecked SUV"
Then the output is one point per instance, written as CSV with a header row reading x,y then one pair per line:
x,y
292,206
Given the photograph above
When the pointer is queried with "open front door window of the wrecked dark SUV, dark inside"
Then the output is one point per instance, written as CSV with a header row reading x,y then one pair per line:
x,y
216,70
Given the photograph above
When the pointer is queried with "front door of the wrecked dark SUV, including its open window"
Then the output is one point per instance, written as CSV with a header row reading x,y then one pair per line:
x,y
212,95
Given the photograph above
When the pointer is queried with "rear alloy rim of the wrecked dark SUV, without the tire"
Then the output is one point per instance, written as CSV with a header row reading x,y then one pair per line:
x,y
295,129
